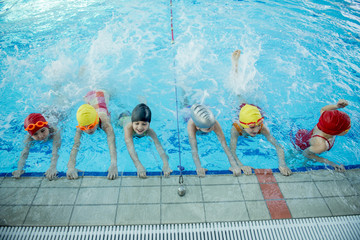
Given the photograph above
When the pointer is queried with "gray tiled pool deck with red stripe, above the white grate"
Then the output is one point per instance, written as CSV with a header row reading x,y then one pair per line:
x,y
35,201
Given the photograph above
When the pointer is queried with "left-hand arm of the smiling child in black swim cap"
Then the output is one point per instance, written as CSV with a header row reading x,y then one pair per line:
x,y
128,132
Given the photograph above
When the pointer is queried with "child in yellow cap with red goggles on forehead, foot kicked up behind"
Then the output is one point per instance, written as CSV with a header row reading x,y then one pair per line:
x,y
250,124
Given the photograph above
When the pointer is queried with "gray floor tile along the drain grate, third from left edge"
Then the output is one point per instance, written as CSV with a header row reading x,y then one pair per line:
x,y
93,215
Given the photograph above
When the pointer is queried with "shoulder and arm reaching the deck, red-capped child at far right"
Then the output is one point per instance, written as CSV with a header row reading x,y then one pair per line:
x,y
318,147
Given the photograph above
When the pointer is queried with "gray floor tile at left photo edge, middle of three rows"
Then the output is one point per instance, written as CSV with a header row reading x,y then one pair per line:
x,y
17,196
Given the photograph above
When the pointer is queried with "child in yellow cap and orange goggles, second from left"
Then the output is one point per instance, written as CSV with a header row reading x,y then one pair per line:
x,y
92,116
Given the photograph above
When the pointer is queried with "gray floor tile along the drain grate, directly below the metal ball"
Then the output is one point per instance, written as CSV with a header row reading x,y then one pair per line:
x,y
182,213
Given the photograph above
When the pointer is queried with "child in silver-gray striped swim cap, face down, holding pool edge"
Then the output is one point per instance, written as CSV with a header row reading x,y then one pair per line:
x,y
203,121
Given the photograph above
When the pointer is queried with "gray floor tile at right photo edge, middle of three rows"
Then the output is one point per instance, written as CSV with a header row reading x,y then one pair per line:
x,y
336,188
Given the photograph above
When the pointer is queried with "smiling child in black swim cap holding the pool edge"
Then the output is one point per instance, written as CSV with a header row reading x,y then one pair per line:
x,y
138,125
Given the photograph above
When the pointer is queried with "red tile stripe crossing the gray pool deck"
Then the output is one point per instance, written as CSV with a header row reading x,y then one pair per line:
x,y
273,197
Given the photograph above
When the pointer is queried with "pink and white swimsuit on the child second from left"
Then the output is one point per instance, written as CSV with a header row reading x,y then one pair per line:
x,y
99,99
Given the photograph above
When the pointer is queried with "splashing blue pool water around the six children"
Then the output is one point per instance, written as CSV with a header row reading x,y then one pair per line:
x,y
297,57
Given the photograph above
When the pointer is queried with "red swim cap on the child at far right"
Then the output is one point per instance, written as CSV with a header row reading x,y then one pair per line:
x,y
334,122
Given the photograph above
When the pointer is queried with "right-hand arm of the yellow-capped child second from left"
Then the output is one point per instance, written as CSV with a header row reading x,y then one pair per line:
x,y
108,129
